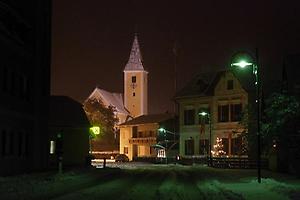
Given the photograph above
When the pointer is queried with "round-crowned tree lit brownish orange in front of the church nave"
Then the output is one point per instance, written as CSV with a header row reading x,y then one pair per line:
x,y
104,117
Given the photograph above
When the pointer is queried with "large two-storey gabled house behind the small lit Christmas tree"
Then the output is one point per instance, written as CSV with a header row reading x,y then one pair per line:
x,y
224,97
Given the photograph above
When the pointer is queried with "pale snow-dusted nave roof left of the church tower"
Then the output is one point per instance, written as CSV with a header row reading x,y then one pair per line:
x,y
108,98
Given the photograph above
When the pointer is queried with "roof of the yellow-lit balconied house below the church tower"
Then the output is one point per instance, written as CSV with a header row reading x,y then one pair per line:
x,y
149,119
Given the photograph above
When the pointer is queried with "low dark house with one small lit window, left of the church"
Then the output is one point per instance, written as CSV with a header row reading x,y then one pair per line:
x,y
68,124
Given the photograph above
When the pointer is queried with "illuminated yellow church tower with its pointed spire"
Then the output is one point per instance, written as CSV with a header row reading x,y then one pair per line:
x,y
135,83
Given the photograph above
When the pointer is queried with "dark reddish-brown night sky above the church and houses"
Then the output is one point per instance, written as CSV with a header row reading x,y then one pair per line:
x,y
92,39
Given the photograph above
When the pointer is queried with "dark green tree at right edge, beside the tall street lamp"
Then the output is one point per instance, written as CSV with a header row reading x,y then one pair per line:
x,y
279,127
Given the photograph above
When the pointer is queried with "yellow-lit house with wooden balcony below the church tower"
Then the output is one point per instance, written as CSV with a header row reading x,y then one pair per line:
x,y
139,136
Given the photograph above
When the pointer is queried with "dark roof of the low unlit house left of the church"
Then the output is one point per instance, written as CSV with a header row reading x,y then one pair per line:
x,y
66,112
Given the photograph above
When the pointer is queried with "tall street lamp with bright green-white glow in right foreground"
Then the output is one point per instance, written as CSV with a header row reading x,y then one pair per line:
x,y
243,60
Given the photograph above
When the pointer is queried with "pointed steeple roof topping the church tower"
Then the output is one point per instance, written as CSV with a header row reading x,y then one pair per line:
x,y
135,58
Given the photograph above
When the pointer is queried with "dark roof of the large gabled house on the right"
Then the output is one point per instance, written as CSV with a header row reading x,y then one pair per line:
x,y
204,84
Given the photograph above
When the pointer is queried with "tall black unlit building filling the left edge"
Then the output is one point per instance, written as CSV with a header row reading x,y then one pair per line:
x,y
24,85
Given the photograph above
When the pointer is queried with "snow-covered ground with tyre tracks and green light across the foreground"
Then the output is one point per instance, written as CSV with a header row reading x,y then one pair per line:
x,y
143,181
